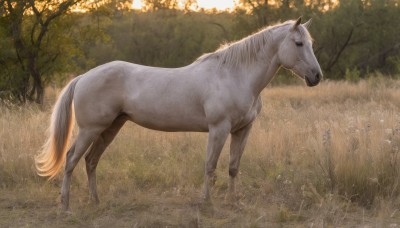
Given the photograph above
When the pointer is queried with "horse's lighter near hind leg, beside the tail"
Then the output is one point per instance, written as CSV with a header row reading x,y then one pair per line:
x,y
83,141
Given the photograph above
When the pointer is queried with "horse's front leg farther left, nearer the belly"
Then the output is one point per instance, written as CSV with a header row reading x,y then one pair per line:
x,y
216,140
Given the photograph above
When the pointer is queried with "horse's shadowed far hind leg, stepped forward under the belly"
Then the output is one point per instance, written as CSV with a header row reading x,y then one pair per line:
x,y
93,156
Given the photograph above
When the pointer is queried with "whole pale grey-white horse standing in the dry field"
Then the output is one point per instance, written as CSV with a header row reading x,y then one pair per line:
x,y
219,93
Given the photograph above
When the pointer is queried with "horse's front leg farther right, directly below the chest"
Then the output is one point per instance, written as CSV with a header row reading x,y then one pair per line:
x,y
238,142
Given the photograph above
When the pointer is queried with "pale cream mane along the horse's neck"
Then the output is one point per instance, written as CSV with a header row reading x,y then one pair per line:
x,y
245,50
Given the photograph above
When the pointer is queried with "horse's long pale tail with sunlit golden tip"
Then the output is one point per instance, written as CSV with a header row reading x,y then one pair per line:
x,y
52,157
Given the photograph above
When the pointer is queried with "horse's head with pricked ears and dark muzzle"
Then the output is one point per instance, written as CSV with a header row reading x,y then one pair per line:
x,y
296,54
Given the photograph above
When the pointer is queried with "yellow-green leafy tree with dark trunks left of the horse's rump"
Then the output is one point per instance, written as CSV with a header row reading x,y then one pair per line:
x,y
39,39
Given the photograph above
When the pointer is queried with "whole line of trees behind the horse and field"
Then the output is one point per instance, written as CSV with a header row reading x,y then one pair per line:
x,y
48,41
